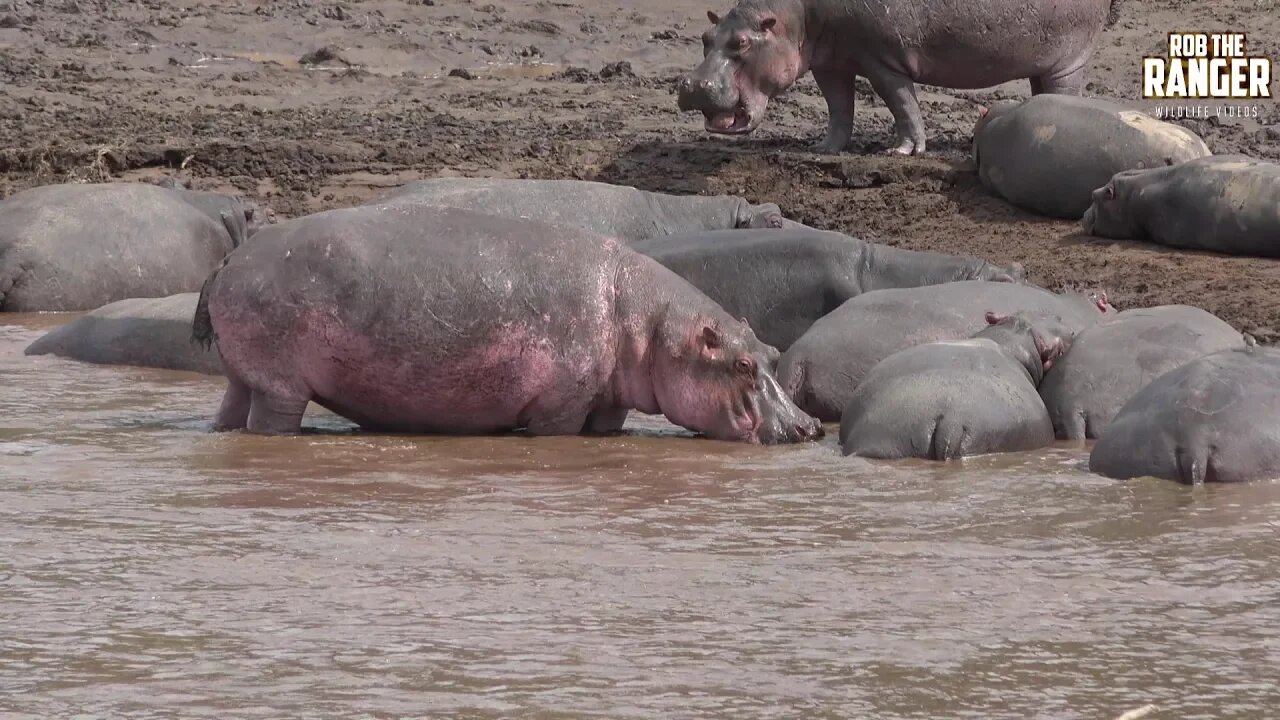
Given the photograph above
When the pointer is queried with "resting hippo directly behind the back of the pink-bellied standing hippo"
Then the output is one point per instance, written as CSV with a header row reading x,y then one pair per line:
x,y
614,211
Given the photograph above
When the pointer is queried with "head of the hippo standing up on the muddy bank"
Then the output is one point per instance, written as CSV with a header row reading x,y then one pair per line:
x,y
749,56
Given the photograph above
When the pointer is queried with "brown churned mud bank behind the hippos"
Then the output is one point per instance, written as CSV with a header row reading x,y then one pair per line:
x,y
309,106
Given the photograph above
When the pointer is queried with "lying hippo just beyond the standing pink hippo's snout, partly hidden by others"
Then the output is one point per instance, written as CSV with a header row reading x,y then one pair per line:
x,y
826,366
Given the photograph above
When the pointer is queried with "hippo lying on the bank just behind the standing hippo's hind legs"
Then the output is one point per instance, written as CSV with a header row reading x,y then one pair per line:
x,y
1050,153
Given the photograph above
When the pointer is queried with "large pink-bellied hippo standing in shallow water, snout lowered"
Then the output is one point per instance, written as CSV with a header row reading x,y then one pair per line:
x,y
476,325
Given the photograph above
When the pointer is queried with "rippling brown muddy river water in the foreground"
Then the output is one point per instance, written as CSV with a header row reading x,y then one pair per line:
x,y
152,569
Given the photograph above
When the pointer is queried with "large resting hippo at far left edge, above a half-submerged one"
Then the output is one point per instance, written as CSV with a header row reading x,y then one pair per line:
x,y
81,247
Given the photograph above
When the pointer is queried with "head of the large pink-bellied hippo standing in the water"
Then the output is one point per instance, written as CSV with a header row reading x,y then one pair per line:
x,y
716,377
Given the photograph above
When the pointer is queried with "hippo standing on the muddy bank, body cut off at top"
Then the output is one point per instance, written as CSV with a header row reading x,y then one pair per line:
x,y
764,47
